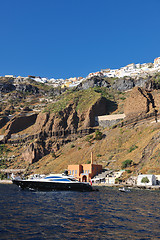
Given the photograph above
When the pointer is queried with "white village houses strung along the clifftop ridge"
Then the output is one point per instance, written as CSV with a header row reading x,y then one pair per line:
x,y
131,70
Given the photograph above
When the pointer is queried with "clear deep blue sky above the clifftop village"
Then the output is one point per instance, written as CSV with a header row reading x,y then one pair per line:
x,y
67,38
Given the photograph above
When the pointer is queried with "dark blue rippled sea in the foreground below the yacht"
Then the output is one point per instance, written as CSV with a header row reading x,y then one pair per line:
x,y
107,214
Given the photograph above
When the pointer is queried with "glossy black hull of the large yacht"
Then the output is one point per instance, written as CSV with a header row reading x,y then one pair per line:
x,y
52,186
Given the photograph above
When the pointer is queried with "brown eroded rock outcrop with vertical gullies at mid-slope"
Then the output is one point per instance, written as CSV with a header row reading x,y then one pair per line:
x,y
51,130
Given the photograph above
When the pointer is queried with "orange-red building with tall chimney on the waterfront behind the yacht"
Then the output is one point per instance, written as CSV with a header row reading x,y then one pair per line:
x,y
85,172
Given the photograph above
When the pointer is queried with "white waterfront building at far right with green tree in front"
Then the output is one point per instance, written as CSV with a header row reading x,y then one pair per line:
x,y
146,180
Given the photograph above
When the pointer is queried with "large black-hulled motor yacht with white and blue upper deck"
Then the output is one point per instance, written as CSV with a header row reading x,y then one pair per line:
x,y
52,182
